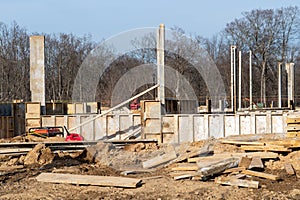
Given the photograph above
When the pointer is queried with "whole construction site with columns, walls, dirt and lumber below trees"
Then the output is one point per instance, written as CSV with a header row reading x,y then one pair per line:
x,y
160,148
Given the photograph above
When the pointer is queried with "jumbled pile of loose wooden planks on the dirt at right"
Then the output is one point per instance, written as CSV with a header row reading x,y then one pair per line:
x,y
237,169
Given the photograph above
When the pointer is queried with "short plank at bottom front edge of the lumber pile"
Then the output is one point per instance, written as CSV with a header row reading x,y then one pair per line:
x,y
236,182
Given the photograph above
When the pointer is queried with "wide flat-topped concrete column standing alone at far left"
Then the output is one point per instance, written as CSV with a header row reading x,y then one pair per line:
x,y
37,70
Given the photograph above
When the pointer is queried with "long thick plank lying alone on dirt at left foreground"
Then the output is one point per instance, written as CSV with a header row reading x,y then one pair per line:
x,y
89,180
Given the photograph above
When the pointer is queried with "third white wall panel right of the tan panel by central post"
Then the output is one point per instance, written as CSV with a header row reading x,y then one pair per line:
x,y
216,126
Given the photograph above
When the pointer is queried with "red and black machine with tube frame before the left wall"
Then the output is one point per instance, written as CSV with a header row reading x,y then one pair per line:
x,y
52,131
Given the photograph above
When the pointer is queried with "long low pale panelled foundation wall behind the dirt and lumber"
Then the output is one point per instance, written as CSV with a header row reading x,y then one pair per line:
x,y
176,128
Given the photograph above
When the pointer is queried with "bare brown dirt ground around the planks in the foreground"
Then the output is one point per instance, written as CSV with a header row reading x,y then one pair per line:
x,y
156,184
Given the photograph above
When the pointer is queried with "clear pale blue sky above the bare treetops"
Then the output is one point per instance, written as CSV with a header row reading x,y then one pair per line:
x,y
103,19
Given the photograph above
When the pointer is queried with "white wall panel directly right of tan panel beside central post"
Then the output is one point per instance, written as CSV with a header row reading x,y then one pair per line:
x,y
185,129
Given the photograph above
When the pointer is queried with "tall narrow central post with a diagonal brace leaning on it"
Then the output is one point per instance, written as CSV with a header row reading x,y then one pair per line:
x,y
161,63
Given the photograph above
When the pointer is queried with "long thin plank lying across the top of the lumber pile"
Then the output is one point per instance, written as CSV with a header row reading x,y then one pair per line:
x,y
263,155
